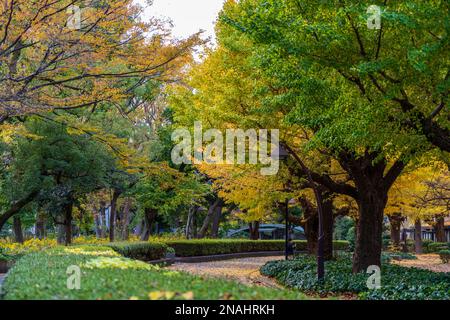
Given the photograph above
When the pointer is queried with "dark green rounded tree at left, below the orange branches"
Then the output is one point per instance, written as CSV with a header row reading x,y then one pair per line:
x,y
63,166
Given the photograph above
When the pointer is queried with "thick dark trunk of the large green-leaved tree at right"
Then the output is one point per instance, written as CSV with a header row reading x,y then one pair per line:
x,y
369,230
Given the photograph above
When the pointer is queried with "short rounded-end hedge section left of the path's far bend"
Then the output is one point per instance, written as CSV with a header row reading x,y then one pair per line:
x,y
145,251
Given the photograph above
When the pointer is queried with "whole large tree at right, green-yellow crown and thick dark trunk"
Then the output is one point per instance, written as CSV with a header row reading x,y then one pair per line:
x,y
360,91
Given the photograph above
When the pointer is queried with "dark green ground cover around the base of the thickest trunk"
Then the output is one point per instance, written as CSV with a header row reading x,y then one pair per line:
x,y
398,283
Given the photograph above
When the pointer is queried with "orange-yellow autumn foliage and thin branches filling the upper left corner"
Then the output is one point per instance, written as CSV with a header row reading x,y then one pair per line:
x,y
48,63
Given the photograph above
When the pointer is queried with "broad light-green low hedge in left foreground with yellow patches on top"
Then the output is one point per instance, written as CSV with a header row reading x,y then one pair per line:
x,y
105,275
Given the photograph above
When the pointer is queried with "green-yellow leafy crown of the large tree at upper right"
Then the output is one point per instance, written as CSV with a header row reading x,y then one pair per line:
x,y
344,81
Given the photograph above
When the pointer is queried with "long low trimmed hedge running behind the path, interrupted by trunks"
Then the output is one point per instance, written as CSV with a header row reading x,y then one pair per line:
x,y
192,248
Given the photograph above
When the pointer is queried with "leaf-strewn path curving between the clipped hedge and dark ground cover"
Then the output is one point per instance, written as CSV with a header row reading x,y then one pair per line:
x,y
243,270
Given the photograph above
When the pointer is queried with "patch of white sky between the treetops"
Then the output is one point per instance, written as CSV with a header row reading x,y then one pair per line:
x,y
188,16
